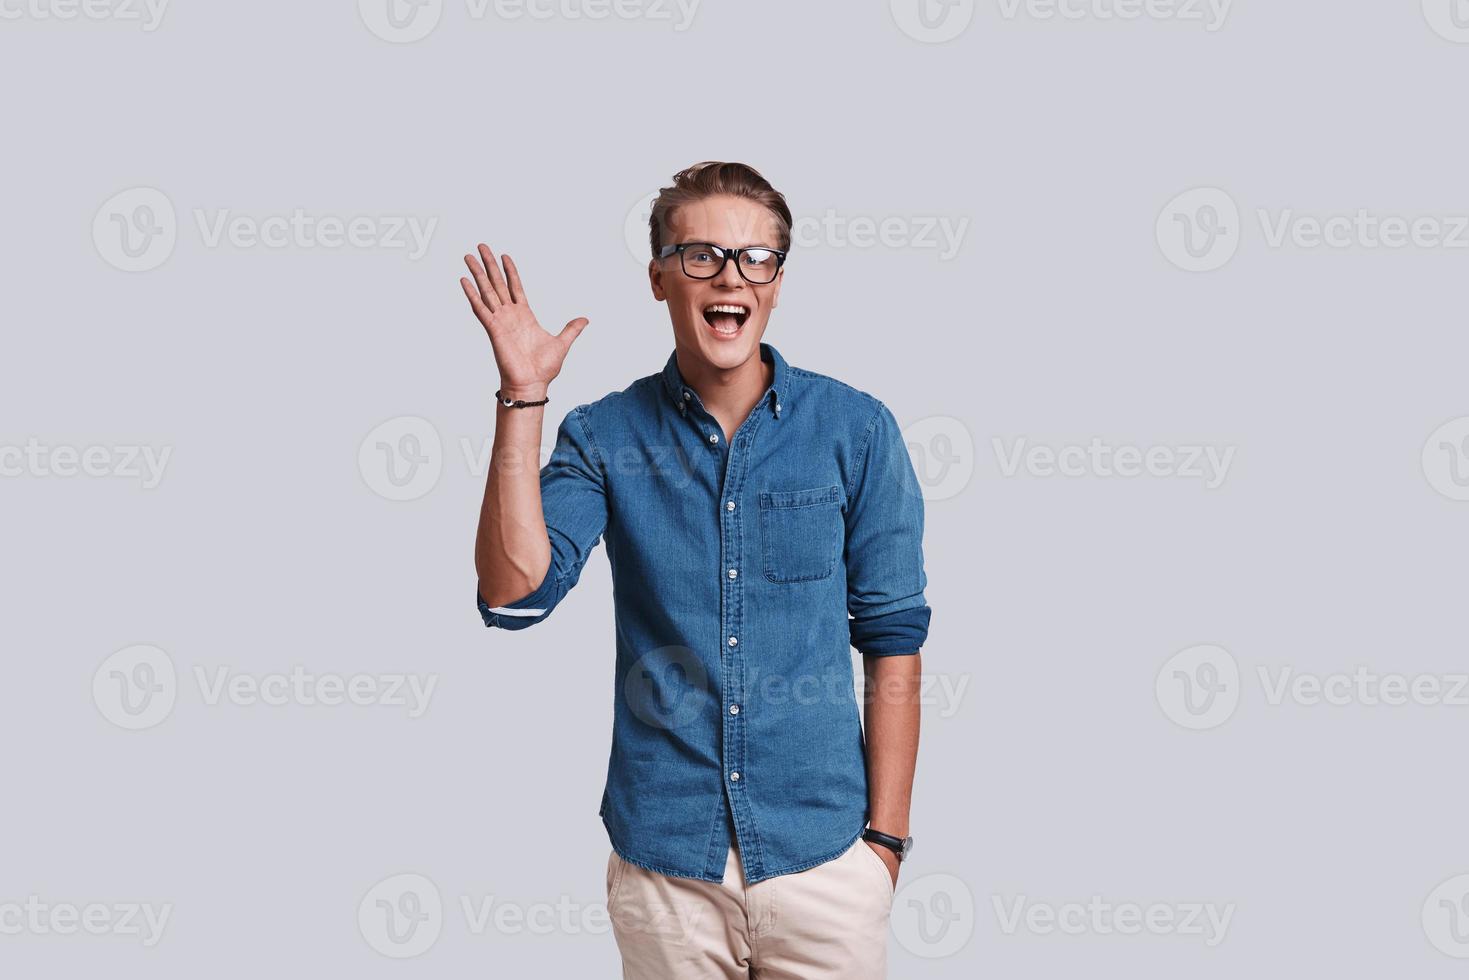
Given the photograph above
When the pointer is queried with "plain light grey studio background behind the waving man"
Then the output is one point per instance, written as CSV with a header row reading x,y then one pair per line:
x,y
1057,600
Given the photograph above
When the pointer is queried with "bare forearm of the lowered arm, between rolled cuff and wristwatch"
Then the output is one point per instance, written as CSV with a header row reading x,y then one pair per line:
x,y
891,729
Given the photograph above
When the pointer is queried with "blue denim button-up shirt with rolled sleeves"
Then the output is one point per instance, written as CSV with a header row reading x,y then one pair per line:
x,y
743,577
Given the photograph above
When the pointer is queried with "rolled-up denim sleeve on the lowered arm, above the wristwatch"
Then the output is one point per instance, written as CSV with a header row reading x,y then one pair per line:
x,y
885,575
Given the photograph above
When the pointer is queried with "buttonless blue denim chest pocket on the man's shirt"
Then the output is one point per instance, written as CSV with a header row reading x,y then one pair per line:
x,y
801,533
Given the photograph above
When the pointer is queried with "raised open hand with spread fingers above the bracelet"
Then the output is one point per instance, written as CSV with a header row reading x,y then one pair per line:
x,y
530,358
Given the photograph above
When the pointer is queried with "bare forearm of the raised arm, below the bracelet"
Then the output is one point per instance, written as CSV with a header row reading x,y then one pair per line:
x,y
512,549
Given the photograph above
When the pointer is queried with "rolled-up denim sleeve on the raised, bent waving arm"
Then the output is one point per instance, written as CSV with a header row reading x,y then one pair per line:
x,y
574,497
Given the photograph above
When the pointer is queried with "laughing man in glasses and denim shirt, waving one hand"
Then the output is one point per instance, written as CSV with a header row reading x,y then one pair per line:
x,y
760,522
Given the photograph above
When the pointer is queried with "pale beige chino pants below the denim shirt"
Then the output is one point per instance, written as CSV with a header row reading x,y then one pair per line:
x,y
826,922
